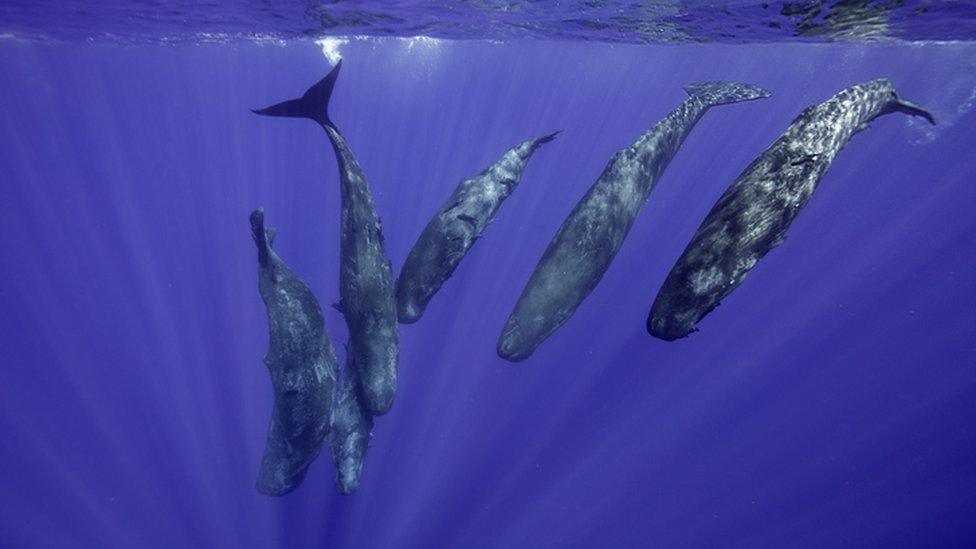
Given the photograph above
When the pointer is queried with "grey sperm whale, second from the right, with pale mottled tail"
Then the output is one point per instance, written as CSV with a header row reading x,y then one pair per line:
x,y
588,240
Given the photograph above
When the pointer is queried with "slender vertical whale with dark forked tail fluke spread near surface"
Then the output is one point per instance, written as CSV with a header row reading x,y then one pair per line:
x,y
365,278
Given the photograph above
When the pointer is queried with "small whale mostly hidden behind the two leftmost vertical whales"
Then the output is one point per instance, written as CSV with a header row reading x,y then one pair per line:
x,y
351,431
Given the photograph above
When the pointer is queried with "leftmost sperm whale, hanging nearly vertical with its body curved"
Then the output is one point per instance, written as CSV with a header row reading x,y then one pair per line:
x,y
302,364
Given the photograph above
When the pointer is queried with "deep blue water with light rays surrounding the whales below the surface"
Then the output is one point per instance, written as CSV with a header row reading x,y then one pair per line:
x,y
828,402
